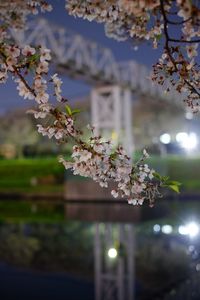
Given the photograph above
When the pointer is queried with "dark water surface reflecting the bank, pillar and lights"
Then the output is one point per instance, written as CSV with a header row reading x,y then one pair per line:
x,y
50,238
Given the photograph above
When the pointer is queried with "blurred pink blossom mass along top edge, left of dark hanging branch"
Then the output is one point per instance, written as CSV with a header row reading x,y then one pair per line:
x,y
122,18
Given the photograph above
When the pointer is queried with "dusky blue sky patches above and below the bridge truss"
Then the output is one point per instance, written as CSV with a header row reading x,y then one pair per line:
x,y
75,89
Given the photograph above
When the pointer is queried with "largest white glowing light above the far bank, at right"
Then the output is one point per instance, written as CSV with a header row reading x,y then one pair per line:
x,y
187,141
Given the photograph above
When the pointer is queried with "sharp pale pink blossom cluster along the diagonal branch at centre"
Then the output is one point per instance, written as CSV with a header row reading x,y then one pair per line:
x,y
95,158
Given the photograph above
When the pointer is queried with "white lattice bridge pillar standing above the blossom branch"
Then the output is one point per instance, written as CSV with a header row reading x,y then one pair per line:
x,y
112,114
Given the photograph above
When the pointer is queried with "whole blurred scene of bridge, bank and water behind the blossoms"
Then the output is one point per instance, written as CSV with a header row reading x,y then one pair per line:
x,y
61,237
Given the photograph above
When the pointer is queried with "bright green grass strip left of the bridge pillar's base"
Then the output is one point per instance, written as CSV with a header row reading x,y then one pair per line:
x,y
18,175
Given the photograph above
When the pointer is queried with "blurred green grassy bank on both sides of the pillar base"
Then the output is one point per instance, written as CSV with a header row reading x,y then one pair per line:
x,y
47,175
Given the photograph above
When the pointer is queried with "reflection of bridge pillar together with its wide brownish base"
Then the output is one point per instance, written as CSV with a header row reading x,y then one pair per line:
x,y
115,230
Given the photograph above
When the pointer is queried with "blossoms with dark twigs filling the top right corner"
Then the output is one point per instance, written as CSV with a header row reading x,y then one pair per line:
x,y
152,20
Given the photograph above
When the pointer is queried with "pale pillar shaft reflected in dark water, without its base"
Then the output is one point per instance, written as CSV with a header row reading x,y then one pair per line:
x,y
114,276
